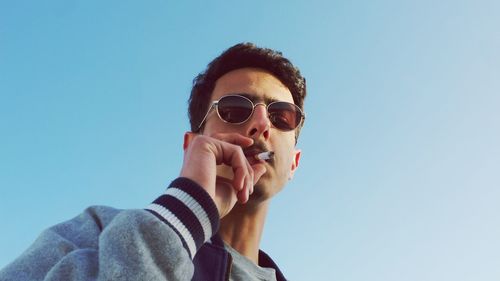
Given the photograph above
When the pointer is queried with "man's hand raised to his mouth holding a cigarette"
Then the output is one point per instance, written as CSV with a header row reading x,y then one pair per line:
x,y
202,154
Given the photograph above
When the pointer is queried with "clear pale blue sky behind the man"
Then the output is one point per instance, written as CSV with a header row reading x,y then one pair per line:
x,y
400,170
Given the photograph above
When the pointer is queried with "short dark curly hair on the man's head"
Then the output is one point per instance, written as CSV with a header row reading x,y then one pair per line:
x,y
243,55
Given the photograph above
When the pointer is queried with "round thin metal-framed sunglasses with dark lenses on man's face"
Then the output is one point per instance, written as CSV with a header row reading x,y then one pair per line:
x,y
236,109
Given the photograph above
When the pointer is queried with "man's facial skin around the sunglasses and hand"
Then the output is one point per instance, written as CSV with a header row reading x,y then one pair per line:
x,y
260,87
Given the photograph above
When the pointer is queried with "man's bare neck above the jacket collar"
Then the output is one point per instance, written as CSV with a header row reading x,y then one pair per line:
x,y
242,228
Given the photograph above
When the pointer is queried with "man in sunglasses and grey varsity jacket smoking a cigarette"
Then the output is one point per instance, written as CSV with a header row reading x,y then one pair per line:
x,y
246,113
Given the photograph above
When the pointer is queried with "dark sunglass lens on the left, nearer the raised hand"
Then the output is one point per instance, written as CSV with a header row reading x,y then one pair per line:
x,y
234,109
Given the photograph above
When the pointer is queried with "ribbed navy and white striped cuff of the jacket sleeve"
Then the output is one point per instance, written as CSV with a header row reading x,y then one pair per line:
x,y
190,211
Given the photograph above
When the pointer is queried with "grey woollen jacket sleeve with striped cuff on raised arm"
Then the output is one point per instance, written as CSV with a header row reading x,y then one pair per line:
x,y
103,243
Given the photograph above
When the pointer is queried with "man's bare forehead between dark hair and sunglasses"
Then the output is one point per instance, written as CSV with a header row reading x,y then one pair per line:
x,y
257,83
